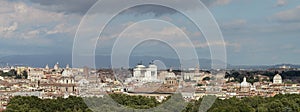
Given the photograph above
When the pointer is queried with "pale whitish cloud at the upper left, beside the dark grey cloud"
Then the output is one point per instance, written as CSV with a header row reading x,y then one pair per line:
x,y
20,20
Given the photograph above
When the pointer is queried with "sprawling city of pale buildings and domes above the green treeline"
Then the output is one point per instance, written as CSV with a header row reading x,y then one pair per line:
x,y
48,83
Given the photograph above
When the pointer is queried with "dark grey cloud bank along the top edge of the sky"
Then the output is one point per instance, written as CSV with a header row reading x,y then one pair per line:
x,y
80,6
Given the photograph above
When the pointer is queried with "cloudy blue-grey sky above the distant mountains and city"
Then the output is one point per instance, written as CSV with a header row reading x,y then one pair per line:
x,y
255,31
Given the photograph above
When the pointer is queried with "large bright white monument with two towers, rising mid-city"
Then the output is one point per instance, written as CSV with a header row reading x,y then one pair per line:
x,y
145,74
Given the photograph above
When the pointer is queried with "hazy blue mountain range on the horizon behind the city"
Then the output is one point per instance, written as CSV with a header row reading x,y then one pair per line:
x,y
104,61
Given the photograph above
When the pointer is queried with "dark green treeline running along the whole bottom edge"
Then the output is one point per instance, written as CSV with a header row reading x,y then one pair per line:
x,y
278,103
